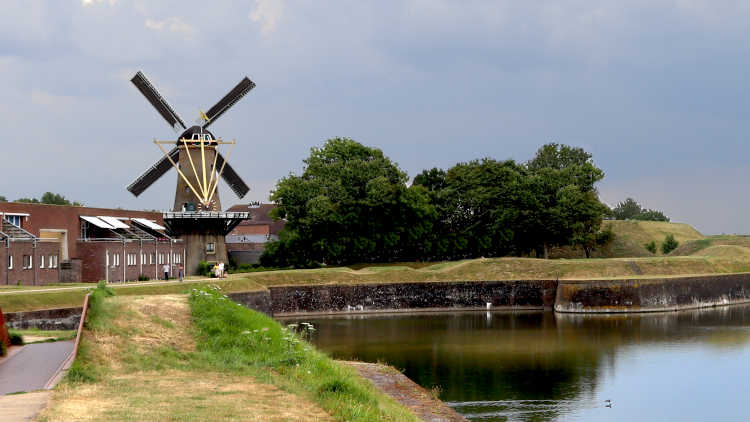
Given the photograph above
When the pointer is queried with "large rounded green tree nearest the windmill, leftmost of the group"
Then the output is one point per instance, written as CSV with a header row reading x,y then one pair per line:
x,y
351,204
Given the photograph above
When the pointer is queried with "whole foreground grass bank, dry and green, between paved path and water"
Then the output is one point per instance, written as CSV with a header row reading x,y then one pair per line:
x,y
159,358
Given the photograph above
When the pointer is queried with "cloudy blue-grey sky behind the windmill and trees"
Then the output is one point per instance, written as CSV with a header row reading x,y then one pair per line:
x,y
655,90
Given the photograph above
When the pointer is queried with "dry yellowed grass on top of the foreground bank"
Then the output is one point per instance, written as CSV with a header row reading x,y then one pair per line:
x,y
149,373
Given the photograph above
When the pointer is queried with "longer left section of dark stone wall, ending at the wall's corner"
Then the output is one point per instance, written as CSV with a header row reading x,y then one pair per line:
x,y
412,296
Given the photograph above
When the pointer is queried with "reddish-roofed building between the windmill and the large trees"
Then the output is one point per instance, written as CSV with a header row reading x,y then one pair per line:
x,y
248,240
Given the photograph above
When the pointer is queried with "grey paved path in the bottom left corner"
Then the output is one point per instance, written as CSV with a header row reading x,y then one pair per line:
x,y
33,366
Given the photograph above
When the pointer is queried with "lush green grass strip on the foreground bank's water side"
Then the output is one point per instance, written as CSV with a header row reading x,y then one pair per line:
x,y
234,338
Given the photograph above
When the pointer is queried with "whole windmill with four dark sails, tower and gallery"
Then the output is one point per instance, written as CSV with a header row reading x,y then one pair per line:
x,y
196,216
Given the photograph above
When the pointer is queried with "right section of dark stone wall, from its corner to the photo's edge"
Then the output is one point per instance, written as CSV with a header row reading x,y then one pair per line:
x,y
646,295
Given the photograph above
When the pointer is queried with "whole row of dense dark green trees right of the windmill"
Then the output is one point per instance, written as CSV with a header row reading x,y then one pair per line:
x,y
352,204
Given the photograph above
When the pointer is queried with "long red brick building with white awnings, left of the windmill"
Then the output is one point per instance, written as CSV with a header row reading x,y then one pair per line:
x,y
41,244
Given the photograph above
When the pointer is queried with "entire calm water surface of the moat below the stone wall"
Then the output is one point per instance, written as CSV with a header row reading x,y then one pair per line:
x,y
542,366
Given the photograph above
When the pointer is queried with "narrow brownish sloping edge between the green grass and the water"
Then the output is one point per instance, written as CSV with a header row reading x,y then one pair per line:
x,y
407,392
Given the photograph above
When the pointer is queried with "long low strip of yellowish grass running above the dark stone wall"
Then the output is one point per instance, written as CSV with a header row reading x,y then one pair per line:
x,y
466,270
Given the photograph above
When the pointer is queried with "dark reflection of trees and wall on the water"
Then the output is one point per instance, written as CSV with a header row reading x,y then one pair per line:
x,y
516,356
